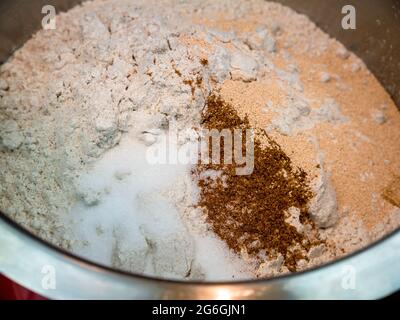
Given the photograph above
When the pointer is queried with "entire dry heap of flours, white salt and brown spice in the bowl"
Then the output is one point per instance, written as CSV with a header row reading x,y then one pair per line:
x,y
81,105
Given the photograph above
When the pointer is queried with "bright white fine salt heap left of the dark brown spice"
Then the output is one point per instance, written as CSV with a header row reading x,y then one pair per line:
x,y
134,218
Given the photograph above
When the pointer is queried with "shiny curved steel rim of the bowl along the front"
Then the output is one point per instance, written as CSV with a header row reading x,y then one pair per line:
x,y
22,258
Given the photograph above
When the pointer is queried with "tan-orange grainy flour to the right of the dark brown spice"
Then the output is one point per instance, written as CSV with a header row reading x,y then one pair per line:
x,y
362,152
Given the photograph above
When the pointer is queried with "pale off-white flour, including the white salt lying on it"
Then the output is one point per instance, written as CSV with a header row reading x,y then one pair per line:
x,y
79,107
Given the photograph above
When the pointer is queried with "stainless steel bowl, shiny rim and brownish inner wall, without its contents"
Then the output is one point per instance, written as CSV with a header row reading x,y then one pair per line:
x,y
371,273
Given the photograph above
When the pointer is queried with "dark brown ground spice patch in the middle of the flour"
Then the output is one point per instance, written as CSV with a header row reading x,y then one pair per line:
x,y
249,212
